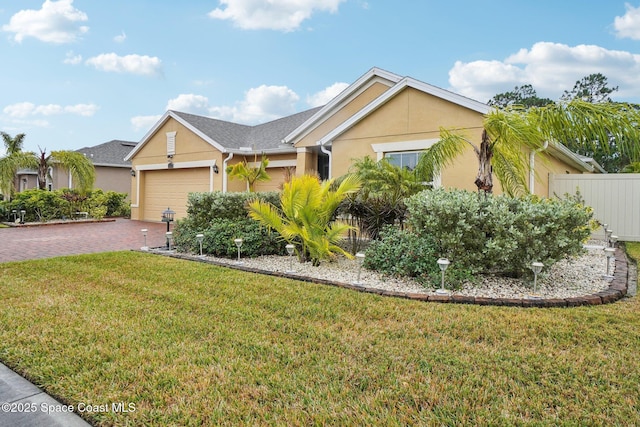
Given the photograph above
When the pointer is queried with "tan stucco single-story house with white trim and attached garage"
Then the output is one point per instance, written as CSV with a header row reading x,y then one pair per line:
x,y
381,115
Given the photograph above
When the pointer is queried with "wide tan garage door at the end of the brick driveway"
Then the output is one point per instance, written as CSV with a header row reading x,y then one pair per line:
x,y
170,188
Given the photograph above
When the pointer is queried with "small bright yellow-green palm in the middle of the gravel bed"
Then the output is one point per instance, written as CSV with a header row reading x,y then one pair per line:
x,y
306,216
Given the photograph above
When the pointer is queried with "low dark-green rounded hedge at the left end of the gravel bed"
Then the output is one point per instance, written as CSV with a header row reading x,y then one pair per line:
x,y
219,236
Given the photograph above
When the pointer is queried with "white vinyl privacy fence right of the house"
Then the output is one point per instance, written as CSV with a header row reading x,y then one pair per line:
x,y
615,199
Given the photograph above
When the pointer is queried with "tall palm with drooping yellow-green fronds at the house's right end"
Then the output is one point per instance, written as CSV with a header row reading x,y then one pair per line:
x,y
506,131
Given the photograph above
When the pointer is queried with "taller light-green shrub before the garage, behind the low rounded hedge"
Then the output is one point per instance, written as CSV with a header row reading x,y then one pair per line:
x,y
203,208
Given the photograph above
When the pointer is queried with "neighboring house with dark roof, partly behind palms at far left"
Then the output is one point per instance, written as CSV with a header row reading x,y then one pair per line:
x,y
113,173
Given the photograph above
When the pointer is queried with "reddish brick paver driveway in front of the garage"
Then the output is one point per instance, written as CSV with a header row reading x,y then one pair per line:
x,y
22,243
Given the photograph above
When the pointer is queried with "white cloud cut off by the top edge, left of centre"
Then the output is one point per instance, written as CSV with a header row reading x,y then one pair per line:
x,y
284,15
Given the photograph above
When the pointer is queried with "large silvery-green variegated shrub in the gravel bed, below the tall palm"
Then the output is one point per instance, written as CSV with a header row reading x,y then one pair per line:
x,y
500,234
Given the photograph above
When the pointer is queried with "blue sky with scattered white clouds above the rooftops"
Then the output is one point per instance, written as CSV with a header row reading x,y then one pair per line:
x,y
78,73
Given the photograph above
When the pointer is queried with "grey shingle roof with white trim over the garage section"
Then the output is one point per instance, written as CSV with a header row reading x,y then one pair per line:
x,y
230,137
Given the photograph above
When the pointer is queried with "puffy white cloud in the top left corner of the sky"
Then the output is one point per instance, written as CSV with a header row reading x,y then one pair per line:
x,y
56,22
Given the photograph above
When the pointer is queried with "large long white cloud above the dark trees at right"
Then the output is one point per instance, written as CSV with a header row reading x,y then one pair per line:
x,y
551,68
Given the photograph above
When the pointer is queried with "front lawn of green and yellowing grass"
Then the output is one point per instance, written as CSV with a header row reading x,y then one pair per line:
x,y
194,344
